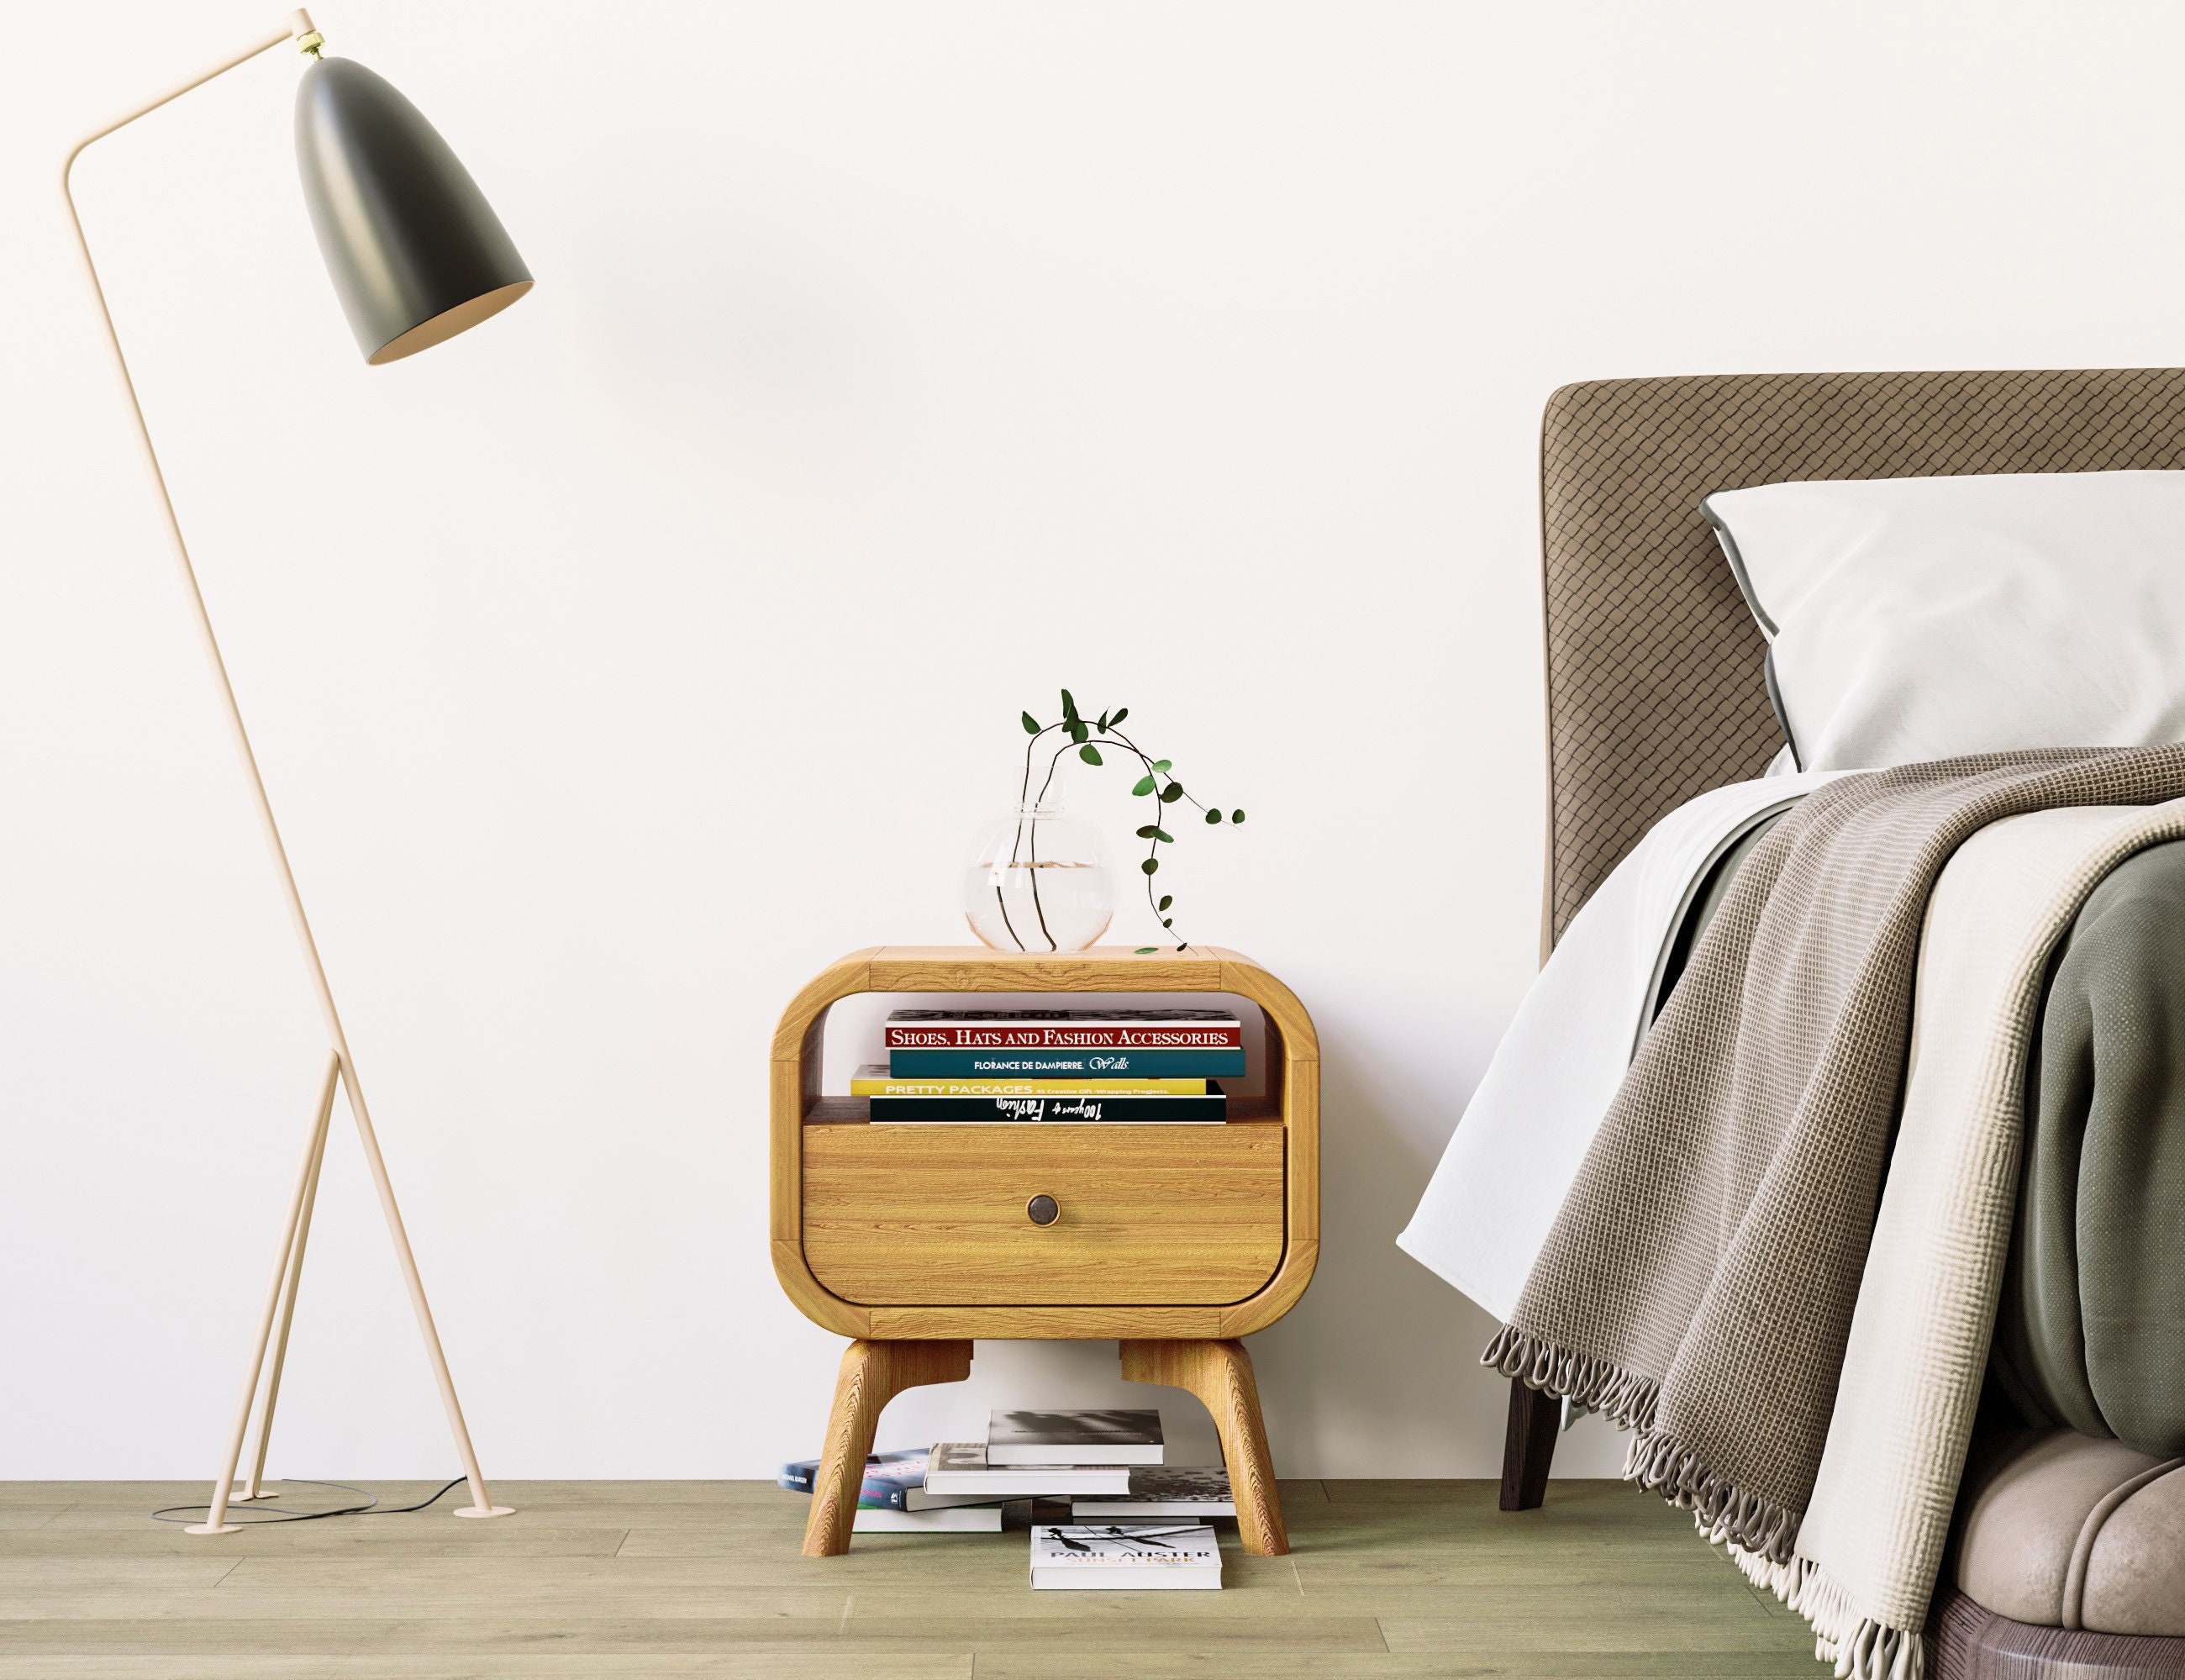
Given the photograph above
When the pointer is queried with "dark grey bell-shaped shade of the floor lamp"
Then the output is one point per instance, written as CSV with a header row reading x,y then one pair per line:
x,y
414,248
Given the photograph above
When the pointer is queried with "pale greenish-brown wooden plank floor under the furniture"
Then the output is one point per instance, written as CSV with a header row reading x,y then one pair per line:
x,y
702,1578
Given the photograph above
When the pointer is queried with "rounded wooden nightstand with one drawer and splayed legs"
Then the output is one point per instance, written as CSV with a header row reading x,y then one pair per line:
x,y
1177,1242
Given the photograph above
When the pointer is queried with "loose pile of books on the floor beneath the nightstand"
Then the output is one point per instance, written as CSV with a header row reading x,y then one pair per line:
x,y
1105,1463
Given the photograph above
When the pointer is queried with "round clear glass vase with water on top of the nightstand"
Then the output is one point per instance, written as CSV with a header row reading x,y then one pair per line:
x,y
1039,882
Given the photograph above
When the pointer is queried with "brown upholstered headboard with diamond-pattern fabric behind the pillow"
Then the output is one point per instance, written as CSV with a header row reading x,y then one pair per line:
x,y
1655,685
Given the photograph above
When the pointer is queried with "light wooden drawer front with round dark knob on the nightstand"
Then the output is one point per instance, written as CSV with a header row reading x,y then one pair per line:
x,y
1144,1216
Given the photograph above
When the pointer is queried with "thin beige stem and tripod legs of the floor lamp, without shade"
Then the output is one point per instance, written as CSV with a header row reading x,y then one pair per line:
x,y
287,1275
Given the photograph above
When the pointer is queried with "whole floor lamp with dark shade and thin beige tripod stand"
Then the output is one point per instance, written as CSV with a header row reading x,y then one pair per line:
x,y
416,257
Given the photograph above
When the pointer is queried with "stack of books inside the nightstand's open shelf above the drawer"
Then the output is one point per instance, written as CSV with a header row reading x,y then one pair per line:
x,y
1054,1065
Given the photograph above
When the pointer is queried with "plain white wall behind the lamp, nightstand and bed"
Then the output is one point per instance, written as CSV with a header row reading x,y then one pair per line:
x,y
630,659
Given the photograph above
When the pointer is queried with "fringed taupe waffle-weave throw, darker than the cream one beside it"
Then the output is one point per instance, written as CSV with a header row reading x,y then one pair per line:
x,y
1701,1279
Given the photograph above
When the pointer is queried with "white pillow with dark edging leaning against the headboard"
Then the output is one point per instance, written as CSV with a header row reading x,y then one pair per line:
x,y
1915,619
